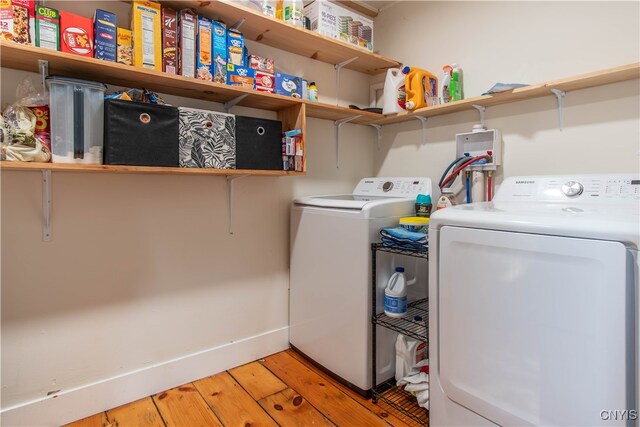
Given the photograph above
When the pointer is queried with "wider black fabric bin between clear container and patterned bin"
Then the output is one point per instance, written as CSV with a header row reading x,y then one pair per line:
x,y
140,134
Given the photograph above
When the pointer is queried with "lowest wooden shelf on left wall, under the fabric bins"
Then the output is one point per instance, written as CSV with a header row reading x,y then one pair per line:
x,y
60,167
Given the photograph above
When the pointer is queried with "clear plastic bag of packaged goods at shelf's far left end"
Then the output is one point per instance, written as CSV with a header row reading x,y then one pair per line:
x,y
25,126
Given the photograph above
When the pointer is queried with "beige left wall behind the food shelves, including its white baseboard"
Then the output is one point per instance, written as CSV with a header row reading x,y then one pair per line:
x,y
142,271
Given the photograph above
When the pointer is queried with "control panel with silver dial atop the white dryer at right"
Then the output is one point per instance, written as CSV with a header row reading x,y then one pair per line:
x,y
619,188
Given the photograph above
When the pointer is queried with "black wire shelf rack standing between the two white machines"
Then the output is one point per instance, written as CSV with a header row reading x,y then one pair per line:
x,y
414,324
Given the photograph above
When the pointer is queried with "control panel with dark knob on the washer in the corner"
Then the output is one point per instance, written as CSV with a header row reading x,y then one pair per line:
x,y
394,187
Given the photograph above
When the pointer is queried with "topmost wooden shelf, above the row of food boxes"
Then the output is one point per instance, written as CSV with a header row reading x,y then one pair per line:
x,y
276,33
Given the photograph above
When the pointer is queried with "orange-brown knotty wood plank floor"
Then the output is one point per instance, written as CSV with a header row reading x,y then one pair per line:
x,y
283,389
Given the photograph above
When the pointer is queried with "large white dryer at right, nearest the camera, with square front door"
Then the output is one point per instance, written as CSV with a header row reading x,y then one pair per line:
x,y
534,304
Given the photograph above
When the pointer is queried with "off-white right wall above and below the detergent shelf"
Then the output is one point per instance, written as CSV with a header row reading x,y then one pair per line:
x,y
519,42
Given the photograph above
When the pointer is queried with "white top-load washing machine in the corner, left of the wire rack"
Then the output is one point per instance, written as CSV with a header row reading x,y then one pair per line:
x,y
330,276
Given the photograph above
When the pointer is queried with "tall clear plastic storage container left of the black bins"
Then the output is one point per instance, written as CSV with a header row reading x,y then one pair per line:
x,y
77,117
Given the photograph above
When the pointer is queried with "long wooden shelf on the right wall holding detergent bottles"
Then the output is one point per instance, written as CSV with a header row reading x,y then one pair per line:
x,y
583,81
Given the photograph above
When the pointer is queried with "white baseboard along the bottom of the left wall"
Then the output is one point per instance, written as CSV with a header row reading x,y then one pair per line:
x,y
74,404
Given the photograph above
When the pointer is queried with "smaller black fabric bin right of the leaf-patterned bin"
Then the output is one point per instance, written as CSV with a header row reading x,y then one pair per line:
x,y
258,143
